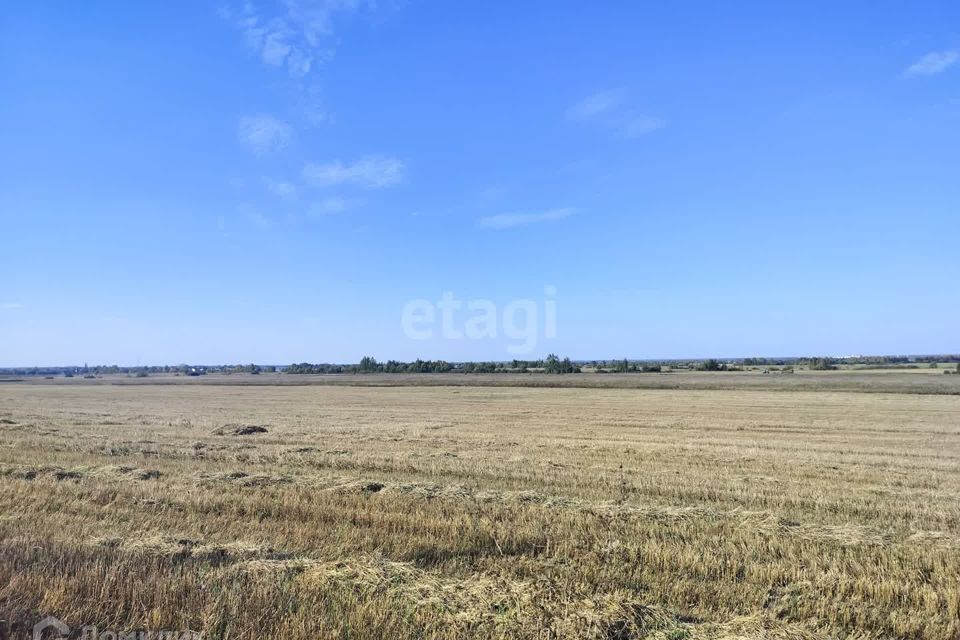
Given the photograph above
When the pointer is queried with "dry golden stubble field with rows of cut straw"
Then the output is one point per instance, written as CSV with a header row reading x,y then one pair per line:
x,y
477,512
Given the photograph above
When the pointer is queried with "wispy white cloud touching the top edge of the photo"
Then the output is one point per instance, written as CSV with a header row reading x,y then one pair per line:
x,y
297,36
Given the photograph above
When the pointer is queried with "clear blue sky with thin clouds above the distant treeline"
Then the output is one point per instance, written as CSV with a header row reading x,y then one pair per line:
x,y
275,182
